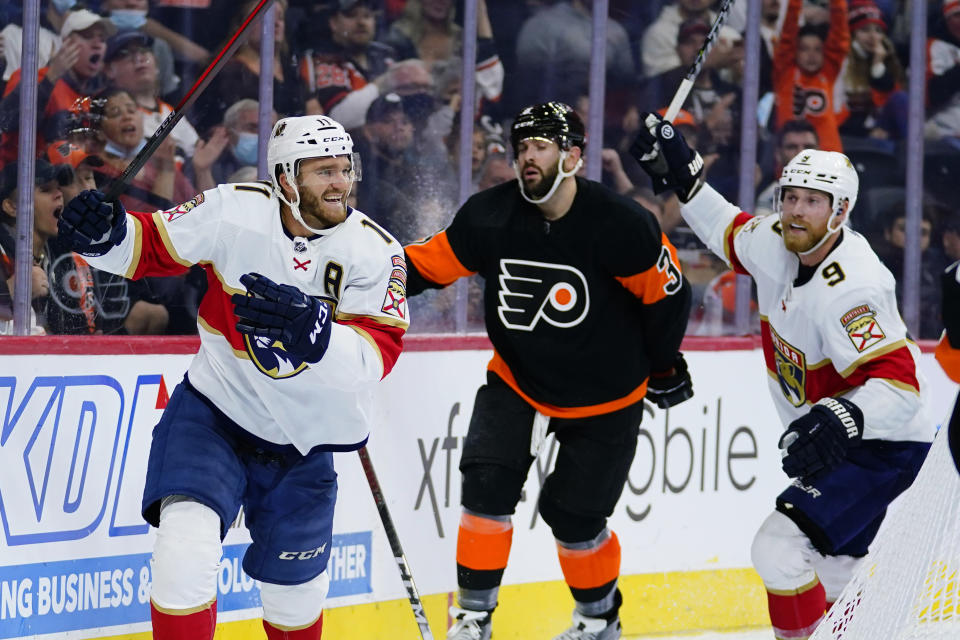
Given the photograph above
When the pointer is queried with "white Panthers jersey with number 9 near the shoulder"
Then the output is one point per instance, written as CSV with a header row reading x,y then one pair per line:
x,y
838,334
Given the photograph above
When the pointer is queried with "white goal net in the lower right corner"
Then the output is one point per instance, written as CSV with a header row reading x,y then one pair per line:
x,y
908,587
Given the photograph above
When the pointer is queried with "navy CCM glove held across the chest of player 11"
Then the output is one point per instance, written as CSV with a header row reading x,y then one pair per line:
x,y
283,312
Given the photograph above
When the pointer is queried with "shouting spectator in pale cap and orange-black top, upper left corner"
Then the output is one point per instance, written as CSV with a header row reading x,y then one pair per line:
x,y
76,70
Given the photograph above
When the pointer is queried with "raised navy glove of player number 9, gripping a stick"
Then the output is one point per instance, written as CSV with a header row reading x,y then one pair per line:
x,y
663,153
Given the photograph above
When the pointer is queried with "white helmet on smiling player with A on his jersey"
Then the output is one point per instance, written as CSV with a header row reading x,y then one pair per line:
x,y
298,138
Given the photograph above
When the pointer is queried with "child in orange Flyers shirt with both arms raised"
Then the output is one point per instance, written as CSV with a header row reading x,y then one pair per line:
x,y
806,66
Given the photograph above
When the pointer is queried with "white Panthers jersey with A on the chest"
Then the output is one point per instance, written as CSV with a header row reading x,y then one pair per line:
x,y
356,266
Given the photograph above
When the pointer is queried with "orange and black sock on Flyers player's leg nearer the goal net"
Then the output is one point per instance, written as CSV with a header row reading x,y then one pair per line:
x,y
591,569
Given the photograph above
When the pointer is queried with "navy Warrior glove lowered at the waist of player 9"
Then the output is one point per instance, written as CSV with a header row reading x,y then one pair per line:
x,y
820,440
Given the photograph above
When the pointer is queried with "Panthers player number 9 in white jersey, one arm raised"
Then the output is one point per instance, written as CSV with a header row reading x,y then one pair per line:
x,y
843,372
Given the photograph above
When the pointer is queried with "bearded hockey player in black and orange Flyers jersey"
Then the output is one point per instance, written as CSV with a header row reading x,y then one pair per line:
x,y
585,306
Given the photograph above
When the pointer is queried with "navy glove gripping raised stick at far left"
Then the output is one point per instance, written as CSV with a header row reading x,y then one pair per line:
x,y
92,226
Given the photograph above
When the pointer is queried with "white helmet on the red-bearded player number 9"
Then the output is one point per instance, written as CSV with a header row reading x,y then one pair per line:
x,y
826,171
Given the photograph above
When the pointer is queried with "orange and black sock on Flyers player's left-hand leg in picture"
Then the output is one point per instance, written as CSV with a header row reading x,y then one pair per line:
x,y
483,547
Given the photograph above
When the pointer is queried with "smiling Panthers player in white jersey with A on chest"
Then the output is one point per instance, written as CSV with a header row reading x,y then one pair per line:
x,y
305,309
